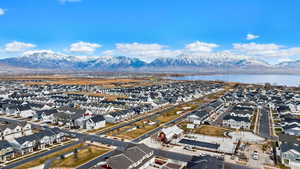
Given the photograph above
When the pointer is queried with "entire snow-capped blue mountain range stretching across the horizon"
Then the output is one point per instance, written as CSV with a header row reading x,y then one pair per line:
x,y
218,62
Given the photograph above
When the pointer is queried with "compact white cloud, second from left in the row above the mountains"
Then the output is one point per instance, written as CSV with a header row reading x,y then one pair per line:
x,y
84,47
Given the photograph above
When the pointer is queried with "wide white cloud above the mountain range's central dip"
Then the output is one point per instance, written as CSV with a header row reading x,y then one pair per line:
x,y
146,52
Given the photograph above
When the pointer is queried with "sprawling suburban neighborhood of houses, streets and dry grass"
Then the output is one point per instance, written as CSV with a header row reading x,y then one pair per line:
x,y
147,123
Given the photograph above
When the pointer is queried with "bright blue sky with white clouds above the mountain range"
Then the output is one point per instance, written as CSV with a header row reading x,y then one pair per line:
x,y
152,28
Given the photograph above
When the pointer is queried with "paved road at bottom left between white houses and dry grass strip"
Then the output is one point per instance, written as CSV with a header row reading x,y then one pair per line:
x,y
35,157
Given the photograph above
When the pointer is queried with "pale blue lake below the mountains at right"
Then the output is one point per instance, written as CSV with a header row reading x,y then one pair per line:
x,y
274,79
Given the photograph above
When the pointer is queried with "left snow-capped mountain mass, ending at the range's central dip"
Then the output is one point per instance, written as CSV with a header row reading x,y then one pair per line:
x,y
52,60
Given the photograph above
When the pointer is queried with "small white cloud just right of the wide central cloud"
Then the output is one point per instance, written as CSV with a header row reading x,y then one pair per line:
x,y
200,47
